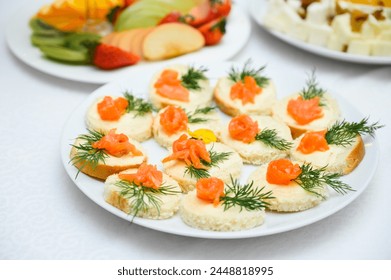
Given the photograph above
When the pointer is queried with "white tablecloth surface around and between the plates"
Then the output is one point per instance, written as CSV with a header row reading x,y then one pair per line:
x,y
45,216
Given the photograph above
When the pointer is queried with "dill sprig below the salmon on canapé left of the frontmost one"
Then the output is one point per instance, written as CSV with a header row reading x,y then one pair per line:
x,y
143,197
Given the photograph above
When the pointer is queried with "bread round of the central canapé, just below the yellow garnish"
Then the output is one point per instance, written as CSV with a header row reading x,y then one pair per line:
x,y
231,167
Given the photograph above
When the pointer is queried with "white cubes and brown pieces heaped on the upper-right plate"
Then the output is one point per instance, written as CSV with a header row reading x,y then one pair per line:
x,y
360,27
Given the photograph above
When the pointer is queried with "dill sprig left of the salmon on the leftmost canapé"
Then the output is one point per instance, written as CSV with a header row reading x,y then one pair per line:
x,y
85,153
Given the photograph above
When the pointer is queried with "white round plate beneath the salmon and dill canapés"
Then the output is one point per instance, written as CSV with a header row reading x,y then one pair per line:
x,y
274,223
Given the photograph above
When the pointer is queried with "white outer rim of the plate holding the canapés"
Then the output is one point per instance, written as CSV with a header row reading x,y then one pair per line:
x,y
154,224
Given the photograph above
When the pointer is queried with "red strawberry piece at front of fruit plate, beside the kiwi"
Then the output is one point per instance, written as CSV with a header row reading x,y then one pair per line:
x,y
109,57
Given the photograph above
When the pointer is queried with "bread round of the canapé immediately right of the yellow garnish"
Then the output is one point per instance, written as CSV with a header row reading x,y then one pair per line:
x,y
258,152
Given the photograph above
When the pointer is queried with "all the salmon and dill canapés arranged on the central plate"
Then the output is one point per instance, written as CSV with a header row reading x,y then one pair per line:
x,y
204,132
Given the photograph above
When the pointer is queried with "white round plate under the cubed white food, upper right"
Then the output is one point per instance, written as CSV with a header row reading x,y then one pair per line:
x,y
257,9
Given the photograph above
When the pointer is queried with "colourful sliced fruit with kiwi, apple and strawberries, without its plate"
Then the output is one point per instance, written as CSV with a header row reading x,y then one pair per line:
x,y
115,33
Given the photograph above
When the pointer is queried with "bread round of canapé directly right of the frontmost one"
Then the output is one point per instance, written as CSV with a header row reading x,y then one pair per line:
x,y
290,198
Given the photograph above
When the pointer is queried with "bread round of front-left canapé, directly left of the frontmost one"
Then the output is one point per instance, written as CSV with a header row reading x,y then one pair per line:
x,y
168,205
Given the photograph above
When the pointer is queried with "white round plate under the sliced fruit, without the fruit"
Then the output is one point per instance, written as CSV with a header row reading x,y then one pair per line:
x,y
18,39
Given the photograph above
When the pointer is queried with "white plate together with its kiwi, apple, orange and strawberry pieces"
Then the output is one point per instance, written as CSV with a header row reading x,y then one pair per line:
x,y
77,51
